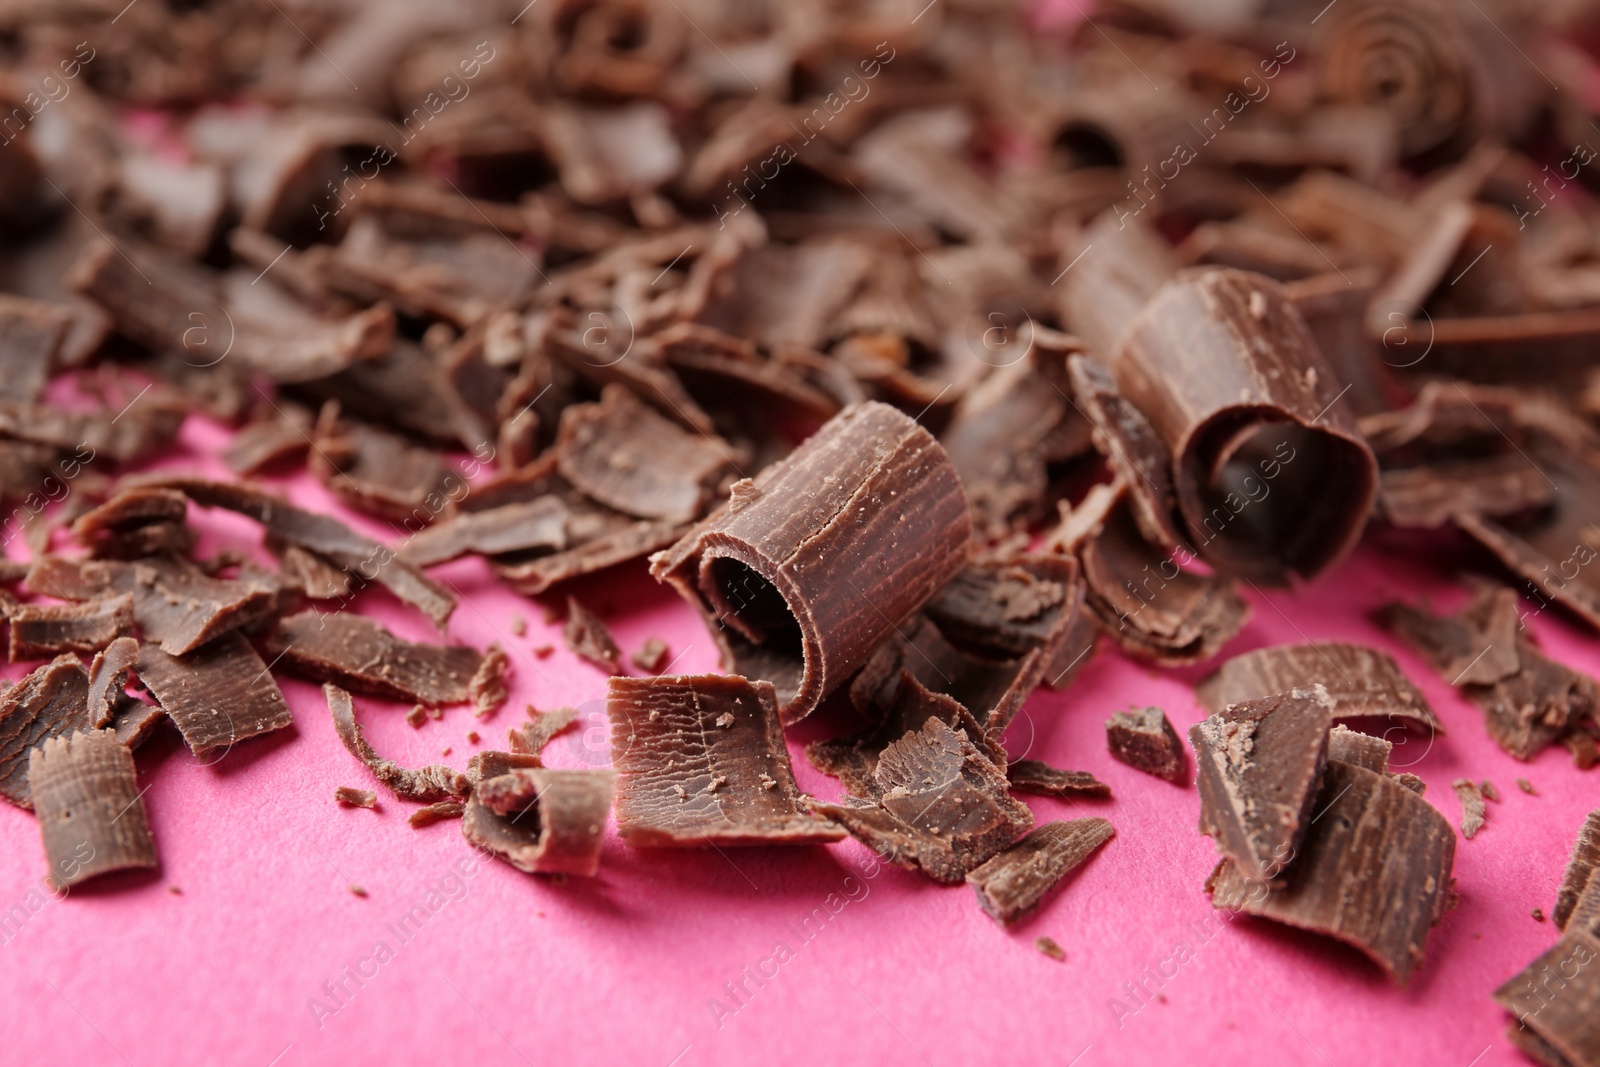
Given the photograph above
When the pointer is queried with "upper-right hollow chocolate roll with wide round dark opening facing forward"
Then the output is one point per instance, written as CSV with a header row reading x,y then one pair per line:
x,y
1273,476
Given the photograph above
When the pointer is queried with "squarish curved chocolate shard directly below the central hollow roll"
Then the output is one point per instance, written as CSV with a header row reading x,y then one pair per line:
x,y
703,762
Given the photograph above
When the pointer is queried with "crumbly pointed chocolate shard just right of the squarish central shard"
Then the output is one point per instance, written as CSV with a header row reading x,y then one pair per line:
x,y
943,810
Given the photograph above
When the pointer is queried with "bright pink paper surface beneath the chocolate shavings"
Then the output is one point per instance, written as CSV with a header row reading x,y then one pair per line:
x,y
228,953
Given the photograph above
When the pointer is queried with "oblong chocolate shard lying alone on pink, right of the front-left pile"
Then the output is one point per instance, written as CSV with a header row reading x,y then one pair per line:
x,y
364,657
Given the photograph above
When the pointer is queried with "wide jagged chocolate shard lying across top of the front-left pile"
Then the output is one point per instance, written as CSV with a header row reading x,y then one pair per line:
x,y
174,602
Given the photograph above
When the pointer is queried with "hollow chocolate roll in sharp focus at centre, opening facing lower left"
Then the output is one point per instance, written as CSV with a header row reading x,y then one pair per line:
x,y
817,561
